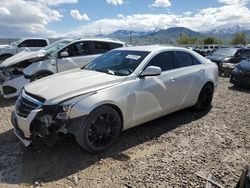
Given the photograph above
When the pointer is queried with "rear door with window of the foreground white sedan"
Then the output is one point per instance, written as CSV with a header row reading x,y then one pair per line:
x,y
188,77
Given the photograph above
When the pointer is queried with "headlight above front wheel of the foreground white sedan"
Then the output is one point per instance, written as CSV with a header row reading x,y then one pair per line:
x,y
65,106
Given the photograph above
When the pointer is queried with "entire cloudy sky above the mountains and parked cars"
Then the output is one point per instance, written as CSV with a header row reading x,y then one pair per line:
x,y
55,18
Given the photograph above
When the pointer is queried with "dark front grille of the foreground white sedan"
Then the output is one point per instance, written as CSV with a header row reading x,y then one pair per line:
x,y
26,104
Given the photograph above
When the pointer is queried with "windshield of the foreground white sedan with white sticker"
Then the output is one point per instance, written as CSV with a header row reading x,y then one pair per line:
x,y
117,62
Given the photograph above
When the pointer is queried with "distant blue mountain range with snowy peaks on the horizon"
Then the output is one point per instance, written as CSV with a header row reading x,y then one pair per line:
x,y
170,35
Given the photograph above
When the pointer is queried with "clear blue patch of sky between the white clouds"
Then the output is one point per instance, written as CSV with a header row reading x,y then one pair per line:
x,y
98,9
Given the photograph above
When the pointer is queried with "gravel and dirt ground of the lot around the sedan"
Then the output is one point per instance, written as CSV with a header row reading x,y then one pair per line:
x,y
167,152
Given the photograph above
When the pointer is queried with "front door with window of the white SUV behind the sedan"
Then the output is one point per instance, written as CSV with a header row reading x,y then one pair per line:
x,y
78,55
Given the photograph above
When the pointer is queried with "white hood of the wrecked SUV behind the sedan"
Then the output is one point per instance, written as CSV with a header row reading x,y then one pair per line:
x,y
22,56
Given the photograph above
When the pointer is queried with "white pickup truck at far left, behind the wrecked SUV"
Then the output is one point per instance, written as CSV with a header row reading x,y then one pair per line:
x,y
30,44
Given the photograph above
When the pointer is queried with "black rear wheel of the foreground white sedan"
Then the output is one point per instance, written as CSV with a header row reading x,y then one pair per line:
x,y
205,98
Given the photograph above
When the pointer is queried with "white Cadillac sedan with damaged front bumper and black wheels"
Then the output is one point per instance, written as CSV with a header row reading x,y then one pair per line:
x,y
119,90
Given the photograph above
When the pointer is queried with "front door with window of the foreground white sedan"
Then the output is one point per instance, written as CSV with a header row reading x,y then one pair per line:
x,y
156,95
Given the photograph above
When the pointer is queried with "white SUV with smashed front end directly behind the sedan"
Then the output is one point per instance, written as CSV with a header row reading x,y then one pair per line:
x,y
66,54
